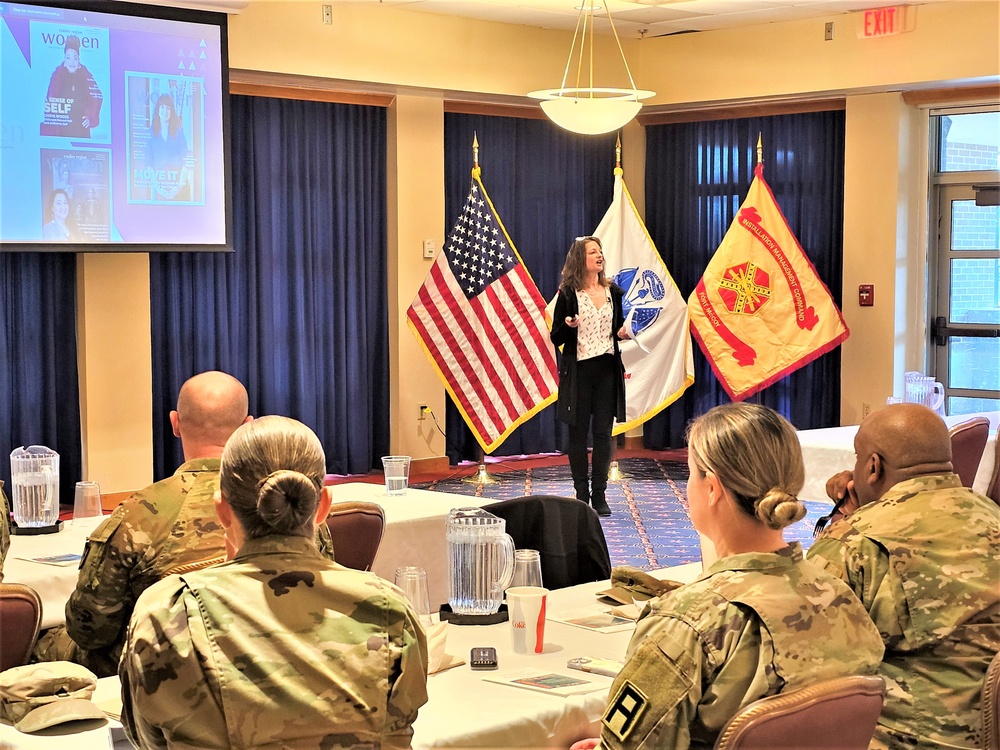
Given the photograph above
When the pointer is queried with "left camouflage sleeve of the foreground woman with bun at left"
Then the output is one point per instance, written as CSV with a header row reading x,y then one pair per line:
x,y
169,681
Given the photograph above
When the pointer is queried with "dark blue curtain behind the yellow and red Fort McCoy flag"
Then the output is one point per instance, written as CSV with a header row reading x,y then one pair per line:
x,y
696,176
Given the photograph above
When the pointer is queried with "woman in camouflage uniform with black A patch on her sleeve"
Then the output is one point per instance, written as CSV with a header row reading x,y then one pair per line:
x,y
759,620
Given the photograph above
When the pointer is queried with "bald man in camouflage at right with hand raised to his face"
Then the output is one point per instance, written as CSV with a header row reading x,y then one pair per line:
x,y
922,553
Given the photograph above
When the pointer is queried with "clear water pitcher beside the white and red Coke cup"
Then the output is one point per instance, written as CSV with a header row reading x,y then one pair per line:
x,y
480,561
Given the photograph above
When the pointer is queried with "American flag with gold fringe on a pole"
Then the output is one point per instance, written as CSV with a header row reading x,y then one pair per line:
x,y
482,322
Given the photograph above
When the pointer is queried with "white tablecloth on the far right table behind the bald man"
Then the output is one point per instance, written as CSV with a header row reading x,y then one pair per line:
x,y
829,451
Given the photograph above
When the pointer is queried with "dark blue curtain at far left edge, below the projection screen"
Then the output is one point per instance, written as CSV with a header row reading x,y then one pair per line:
x,y
39,386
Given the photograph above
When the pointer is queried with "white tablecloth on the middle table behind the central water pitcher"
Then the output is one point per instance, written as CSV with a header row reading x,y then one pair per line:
x,y
414,530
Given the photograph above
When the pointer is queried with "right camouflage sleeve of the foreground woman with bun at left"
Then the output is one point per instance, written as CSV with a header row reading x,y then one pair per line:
x,y
408,676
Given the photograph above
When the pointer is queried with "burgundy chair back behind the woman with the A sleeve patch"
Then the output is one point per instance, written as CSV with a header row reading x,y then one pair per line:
x,y
837,713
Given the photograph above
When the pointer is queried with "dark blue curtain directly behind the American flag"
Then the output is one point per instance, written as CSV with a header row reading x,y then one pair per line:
x,y
549,187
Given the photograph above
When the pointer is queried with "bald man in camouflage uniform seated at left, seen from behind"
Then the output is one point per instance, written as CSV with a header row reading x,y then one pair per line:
x,y
169,527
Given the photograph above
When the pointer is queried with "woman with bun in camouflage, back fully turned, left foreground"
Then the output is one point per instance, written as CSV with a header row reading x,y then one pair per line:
x,y
279,647
